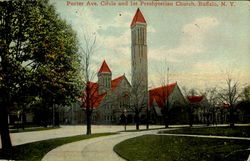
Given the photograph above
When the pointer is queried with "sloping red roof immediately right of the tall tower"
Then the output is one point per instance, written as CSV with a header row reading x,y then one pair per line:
x,y
160,94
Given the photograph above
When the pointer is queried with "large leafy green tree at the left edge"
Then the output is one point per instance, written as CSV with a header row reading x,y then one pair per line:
x,y
39,58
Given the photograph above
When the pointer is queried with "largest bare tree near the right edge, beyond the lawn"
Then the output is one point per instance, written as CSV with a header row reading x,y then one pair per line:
x,y
230,95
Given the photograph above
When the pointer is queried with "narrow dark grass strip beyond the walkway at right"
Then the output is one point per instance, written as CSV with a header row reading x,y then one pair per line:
x,y
237,131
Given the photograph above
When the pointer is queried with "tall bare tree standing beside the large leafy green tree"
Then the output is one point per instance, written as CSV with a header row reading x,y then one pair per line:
x,y
90,89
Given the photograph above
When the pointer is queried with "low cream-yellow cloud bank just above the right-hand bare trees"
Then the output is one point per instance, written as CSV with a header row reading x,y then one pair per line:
x,y
203,75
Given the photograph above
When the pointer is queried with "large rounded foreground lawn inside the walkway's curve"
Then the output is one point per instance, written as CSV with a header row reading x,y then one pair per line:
x,y
172,148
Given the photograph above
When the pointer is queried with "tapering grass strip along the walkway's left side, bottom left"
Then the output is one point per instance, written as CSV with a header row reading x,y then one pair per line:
x,y
36,150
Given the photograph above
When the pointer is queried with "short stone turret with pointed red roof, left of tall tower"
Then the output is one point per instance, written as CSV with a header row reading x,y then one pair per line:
x,y
104,78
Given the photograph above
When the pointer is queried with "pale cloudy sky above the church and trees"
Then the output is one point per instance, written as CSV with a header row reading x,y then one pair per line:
x,y
199,45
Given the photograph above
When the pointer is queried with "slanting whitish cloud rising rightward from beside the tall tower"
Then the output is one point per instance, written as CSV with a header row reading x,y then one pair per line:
x,y
191,42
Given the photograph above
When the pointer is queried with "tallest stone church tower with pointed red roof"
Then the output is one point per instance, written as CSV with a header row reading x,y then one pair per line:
x,y
139,54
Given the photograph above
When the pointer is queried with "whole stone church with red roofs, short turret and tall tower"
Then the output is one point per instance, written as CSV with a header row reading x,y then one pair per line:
x,y
112,98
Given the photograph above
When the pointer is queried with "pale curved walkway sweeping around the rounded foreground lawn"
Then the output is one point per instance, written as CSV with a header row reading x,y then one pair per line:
x,y
101,149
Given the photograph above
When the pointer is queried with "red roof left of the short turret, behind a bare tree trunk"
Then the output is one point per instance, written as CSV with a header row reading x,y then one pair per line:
x,y
95,98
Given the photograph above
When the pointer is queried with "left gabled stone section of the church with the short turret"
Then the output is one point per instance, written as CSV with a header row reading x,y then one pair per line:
x,y
108,97
